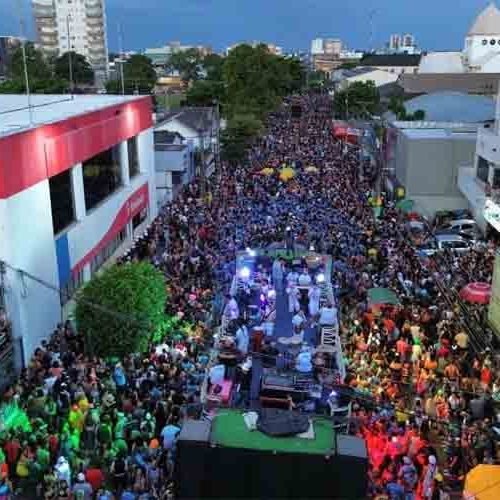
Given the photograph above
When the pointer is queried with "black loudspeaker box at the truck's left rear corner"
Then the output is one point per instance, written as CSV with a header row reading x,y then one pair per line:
x,y
190,474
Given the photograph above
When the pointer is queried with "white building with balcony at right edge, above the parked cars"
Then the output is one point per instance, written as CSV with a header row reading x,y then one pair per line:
x,y
479,181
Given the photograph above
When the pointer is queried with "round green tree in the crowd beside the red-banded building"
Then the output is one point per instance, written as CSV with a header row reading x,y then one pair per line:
x,y
119,310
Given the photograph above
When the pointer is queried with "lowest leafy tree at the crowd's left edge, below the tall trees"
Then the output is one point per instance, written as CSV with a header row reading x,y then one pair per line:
x,y
238,135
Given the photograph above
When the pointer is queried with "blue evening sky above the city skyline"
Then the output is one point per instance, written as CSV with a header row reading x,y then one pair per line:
x,y
437,24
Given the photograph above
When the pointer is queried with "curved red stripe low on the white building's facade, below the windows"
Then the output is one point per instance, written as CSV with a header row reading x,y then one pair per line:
x,y
137,202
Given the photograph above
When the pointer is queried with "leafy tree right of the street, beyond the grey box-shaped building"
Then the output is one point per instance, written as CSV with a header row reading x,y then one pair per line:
x,y
359,99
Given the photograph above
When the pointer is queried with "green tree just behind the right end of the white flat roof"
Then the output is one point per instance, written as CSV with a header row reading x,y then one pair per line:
x,y
139,76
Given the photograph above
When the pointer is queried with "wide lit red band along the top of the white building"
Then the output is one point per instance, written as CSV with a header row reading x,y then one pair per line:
x,y
38,154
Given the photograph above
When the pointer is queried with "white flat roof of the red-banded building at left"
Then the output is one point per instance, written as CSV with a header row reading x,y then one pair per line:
x,y
46,109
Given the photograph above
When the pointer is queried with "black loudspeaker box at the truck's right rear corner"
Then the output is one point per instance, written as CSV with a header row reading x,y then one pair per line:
x,y
351,461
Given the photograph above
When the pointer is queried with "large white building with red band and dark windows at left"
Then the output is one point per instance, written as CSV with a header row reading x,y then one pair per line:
x,y
85,179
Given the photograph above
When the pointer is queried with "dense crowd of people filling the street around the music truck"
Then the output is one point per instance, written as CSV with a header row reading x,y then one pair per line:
x,y
107,429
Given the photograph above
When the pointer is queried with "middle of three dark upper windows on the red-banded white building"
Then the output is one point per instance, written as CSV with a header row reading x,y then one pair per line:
x,y
101,176
